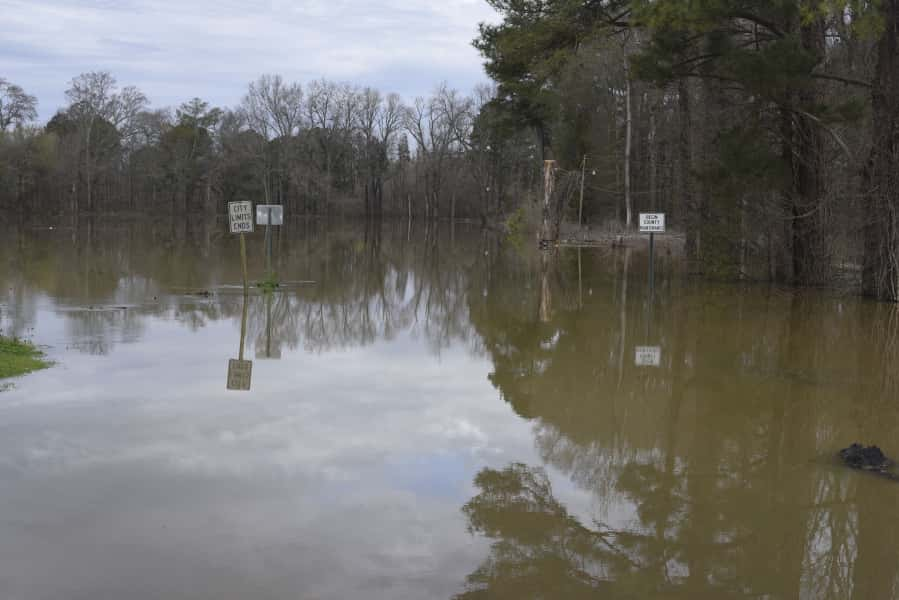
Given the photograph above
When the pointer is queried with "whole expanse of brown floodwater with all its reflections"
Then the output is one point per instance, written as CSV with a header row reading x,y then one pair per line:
x,y
433,413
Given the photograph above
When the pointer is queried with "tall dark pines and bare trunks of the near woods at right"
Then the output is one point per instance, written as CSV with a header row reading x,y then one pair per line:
x,y
765,129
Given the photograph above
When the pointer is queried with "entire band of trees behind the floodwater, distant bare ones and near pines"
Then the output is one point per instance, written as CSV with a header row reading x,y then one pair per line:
x,y
765,130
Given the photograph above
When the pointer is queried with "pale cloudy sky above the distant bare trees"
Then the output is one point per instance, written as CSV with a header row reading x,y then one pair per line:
x,y
176,50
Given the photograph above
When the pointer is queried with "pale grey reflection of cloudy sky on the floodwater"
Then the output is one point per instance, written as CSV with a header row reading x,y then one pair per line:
x,y
318,474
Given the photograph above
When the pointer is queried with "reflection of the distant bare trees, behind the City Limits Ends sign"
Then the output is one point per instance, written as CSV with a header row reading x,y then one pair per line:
x,y
371,282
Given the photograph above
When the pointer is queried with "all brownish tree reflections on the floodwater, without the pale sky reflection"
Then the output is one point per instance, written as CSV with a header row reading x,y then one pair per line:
x,y
718,456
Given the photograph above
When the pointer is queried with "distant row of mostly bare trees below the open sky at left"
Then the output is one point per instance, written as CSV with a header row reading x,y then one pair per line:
x,y
319,149
